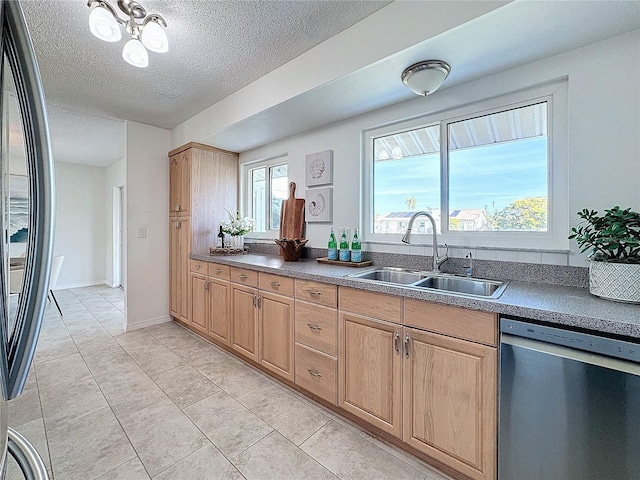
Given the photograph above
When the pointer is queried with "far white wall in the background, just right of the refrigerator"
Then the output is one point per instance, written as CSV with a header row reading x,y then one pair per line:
x,y
80,233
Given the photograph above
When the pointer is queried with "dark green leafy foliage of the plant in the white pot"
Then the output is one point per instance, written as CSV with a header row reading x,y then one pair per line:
x,y
613,237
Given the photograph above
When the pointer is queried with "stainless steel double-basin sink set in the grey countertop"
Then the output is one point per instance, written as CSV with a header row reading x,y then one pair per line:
x,y
431,281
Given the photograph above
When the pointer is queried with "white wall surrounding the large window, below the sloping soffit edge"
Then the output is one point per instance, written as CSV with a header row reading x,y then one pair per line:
x,y
603,146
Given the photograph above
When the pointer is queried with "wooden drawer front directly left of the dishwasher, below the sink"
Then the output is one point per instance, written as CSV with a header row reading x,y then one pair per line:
x,y
457,322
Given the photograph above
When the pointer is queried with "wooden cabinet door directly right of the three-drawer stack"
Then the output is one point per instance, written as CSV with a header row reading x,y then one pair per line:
x,y
370,371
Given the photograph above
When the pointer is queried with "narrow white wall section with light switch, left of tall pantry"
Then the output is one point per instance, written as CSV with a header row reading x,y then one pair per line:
x,y
147,200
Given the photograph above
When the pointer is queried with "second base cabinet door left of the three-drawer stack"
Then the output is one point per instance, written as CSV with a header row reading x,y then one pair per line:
x,y
244,330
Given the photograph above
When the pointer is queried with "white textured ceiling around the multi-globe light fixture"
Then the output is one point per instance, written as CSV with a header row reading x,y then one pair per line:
x,y
215,48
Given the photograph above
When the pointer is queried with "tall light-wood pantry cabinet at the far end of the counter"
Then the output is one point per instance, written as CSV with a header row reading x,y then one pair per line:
x,y
203,186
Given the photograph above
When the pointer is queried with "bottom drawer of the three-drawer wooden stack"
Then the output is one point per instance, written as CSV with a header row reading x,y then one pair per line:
x,y
317,373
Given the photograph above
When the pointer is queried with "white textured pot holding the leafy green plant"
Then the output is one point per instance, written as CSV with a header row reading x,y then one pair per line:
x,y
615,281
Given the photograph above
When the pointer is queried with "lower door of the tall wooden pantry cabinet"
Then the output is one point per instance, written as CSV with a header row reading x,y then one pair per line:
x,y
179,247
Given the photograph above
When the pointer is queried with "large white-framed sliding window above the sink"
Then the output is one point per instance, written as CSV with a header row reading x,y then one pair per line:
x,y
490,175
